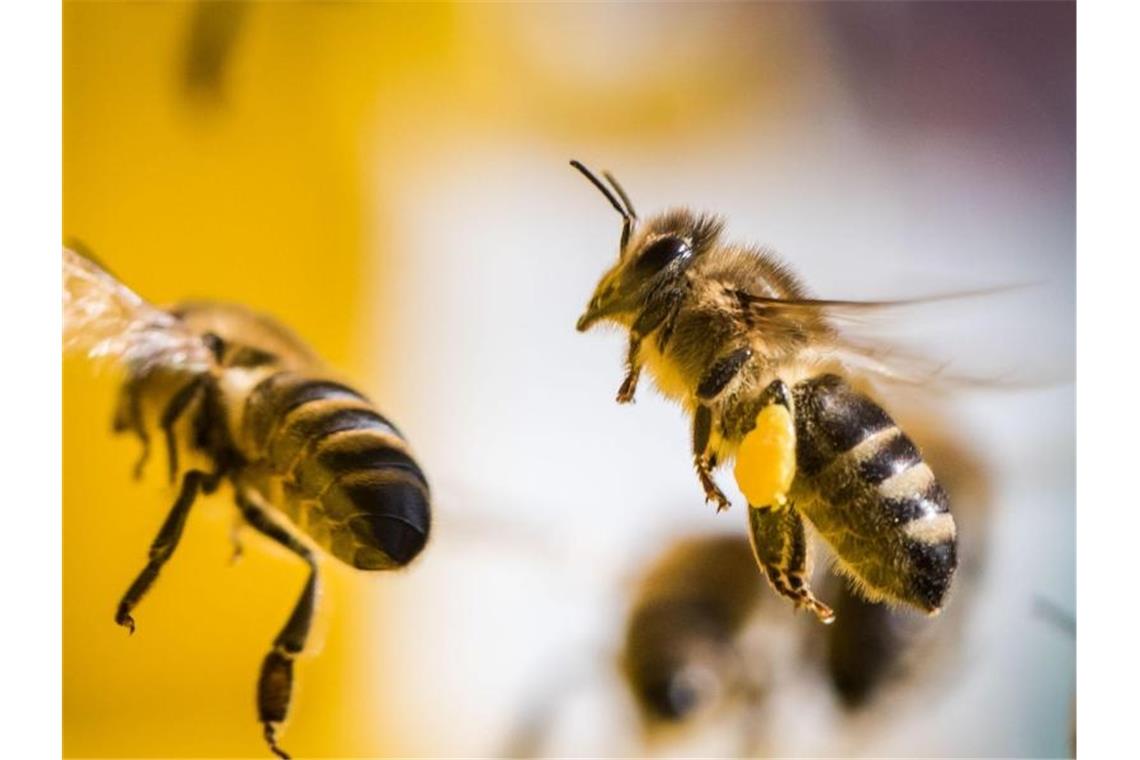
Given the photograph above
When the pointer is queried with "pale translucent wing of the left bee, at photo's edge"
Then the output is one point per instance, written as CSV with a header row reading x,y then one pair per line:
x,y
105,320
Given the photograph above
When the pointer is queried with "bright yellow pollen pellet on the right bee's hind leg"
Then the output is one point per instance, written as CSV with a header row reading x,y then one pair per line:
x,y
767,459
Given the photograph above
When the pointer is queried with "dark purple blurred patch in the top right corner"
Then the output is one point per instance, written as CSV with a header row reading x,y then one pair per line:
x,y
1001,73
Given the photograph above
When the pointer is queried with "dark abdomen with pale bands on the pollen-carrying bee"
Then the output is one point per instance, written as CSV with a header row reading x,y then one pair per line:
x,y
872,496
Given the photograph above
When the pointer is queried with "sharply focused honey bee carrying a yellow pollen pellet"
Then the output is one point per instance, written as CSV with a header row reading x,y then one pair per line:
x,y
730,333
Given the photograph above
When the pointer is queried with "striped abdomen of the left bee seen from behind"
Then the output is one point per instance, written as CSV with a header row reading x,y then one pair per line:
x,y
346,475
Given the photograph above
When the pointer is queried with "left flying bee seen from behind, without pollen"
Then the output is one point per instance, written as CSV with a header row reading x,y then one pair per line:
x,y
238,398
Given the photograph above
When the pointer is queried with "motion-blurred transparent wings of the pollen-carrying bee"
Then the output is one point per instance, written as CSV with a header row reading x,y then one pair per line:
x,y
991,333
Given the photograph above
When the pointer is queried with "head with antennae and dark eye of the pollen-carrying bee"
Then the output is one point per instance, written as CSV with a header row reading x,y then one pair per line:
x,y
652,257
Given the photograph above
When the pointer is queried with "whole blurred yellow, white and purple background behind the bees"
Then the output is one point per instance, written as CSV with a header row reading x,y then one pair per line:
x,y
392,181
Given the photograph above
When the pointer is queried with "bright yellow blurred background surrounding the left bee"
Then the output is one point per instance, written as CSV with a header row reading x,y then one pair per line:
x,y
251,193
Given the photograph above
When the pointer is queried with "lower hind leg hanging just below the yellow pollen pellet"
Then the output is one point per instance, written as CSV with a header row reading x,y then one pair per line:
x,y
780,547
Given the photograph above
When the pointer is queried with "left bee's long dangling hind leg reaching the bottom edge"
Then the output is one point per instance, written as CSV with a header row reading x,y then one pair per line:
x,y
275,685
